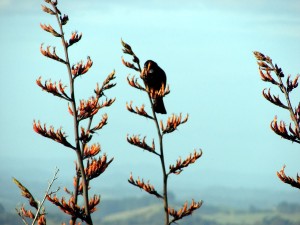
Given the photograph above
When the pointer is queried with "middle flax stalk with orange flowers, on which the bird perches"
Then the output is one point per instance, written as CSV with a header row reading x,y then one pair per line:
x,y
163,128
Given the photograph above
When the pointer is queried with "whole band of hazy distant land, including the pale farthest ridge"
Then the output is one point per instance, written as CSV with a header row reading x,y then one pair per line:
x,y
222,206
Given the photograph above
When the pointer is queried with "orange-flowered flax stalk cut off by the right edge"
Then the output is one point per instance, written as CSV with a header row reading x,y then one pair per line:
x,y
267,70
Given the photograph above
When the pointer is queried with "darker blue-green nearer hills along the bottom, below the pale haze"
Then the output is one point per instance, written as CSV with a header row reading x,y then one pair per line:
x,y
148,211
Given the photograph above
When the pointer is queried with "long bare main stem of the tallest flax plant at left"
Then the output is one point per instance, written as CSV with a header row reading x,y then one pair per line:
x,y
76,129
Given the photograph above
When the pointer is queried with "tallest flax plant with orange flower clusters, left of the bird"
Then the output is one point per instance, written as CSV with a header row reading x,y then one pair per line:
x,y
89,164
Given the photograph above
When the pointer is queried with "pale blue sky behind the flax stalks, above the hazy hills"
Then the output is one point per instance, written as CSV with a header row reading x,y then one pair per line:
x,y
206,52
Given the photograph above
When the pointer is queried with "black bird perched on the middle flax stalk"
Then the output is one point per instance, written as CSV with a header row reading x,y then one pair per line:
x,y
155,81
